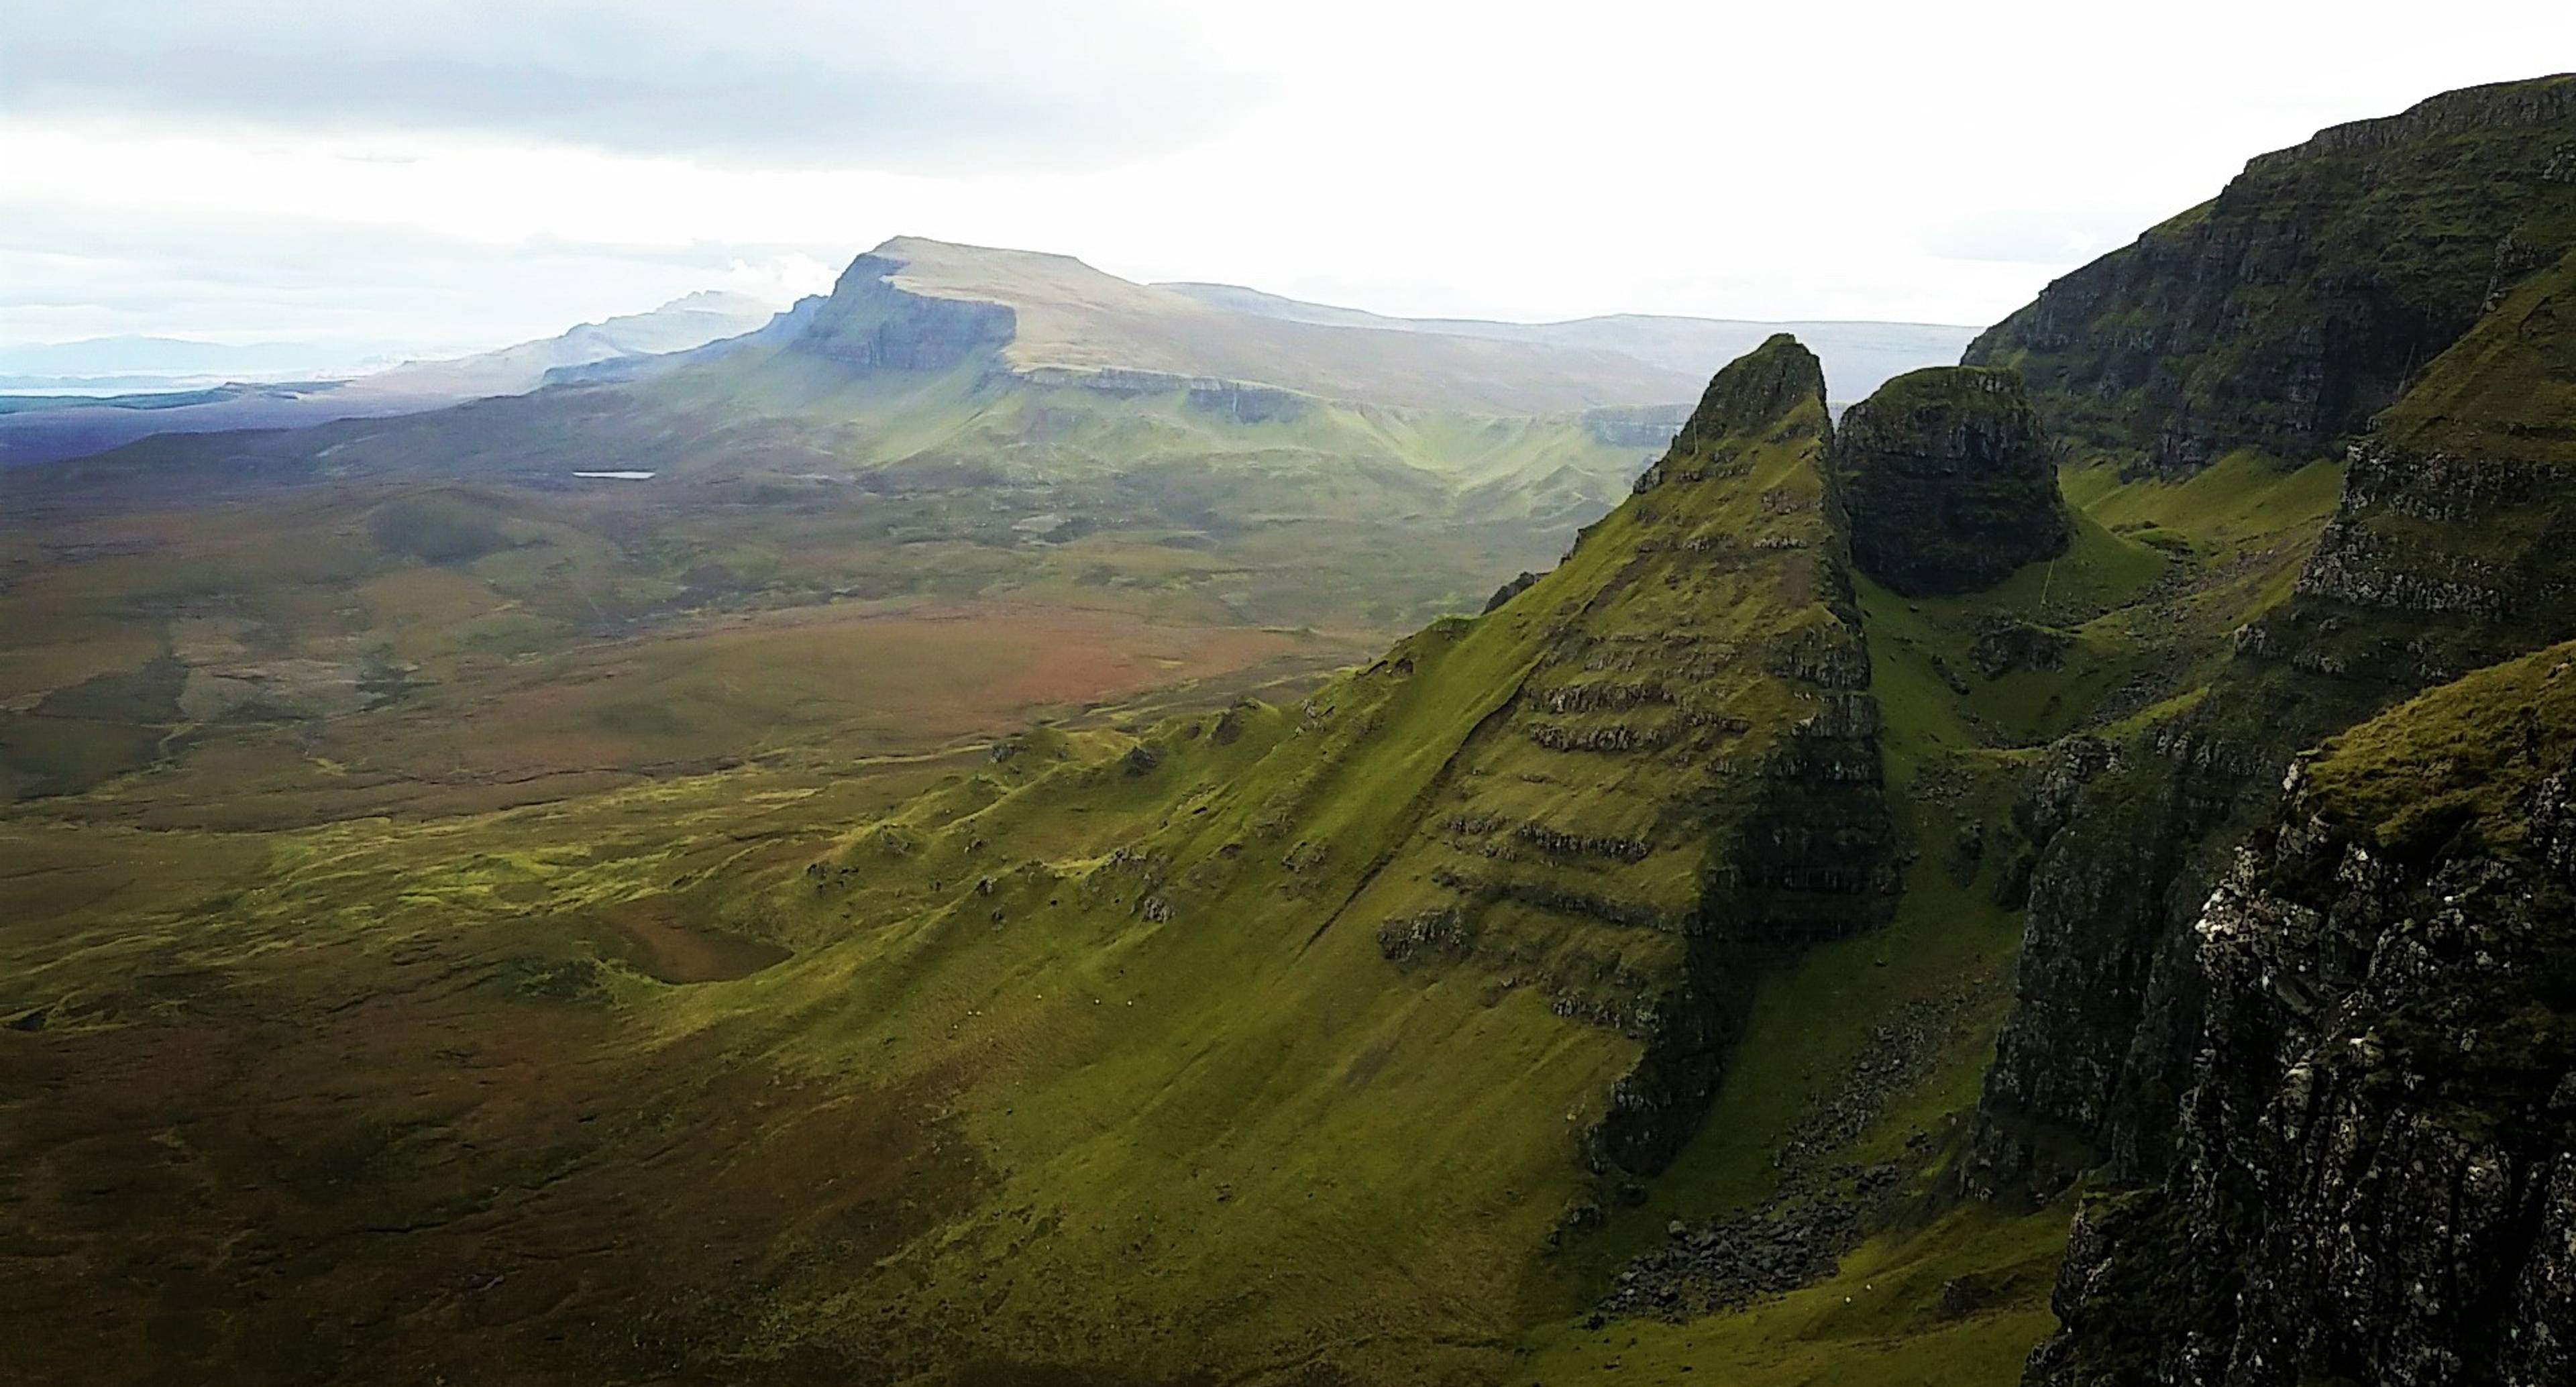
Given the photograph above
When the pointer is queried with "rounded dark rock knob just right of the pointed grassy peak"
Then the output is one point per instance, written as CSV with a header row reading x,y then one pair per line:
x,y
1949,480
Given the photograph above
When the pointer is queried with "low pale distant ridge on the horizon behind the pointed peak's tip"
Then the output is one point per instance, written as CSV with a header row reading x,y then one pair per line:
x,y
1859,356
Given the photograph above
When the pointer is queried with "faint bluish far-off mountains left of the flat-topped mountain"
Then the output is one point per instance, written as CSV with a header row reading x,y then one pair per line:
x,y
71,426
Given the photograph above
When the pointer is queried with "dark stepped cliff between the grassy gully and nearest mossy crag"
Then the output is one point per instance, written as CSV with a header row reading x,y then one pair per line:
x,y
2430,567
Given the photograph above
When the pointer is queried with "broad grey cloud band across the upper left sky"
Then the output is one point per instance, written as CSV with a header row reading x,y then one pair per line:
x,y
753,81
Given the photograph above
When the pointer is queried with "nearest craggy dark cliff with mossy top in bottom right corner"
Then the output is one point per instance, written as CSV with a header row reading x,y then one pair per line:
x,y
2376,1154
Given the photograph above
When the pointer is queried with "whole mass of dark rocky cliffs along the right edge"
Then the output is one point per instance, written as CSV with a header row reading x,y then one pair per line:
x,y
2312,1023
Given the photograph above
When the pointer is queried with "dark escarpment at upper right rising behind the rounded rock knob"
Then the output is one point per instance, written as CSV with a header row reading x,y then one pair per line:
x,y
2312,292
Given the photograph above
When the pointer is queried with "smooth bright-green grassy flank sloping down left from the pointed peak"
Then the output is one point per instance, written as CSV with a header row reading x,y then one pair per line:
x,y
1209,1175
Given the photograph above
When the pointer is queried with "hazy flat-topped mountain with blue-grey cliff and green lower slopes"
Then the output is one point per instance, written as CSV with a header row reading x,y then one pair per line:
x,y
985,421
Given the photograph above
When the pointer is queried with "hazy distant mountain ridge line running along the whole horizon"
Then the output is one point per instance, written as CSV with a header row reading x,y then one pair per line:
x,y
1052,320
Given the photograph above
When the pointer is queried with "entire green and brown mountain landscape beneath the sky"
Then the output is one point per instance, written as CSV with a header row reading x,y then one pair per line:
x,y
2023,881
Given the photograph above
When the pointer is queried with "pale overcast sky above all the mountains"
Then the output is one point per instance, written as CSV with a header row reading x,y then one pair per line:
x,y
462,174
